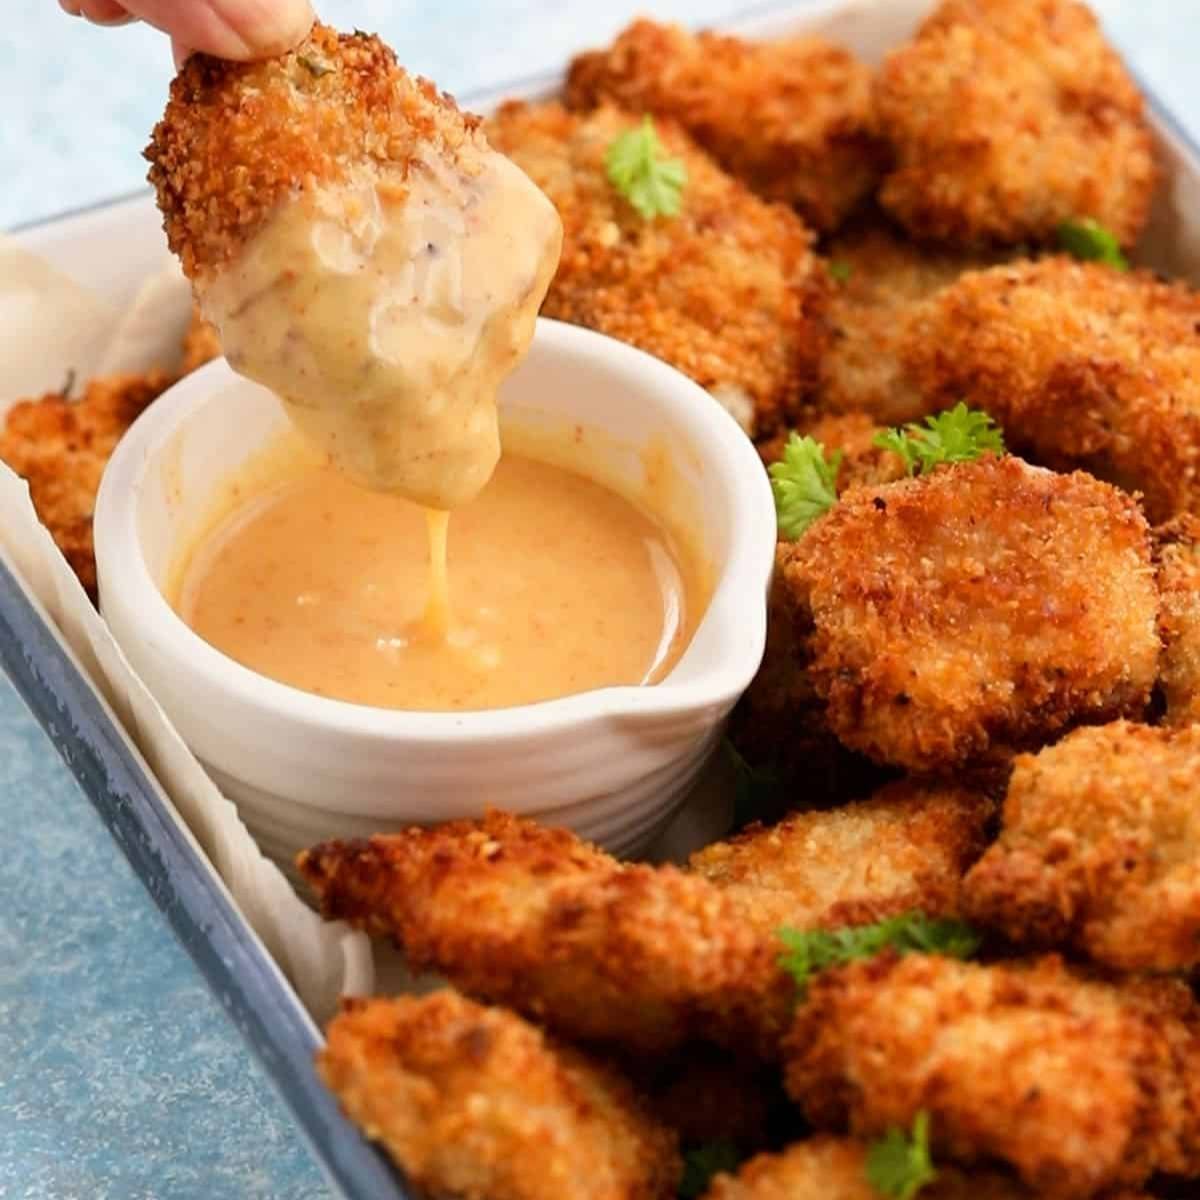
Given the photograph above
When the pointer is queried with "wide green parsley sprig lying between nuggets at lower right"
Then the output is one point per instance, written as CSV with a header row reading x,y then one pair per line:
x,y
813,951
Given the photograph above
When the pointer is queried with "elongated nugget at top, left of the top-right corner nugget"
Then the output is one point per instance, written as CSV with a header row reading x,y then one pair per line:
x,y
791,119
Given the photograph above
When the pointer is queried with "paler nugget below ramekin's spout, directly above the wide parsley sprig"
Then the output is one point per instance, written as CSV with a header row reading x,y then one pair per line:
x,y
907,848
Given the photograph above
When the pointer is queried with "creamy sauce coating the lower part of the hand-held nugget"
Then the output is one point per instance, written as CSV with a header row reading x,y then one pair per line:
x,y
387,314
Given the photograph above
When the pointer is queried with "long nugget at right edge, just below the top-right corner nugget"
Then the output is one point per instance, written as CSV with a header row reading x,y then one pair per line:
x,y
1083,367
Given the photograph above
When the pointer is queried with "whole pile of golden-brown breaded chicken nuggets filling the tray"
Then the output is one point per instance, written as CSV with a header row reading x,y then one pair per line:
x,y
980,700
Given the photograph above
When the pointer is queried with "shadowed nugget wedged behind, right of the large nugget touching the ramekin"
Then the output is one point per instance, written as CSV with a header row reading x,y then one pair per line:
x,y
871,315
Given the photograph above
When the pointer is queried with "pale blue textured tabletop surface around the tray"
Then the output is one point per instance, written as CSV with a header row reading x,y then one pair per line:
x,y
119,1076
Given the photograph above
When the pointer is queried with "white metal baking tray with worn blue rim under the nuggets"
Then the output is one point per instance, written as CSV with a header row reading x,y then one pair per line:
x,y
113,248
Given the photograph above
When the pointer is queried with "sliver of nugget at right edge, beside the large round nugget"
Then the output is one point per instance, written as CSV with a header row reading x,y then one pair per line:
x,y
1178,562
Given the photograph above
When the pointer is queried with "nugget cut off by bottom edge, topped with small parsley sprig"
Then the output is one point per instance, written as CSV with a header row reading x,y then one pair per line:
x,y
826,1168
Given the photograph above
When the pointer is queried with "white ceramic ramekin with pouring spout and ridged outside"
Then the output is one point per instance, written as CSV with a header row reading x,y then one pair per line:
x,y
613,764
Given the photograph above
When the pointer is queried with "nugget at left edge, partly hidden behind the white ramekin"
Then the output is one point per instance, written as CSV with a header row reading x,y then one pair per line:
x,y
61,448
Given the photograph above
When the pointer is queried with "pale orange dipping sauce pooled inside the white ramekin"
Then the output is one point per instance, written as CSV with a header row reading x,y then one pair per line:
x,y
557,586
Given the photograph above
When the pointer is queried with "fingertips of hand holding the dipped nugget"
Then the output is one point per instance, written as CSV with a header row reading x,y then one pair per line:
x,y
229,29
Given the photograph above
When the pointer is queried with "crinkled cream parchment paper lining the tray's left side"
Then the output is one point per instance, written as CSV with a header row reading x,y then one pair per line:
x,y
59,327
